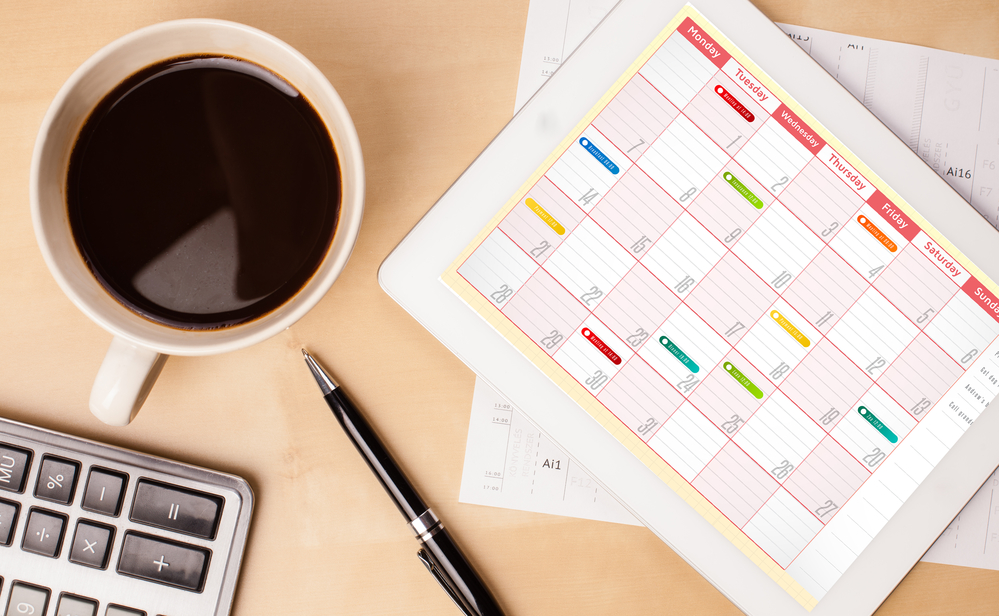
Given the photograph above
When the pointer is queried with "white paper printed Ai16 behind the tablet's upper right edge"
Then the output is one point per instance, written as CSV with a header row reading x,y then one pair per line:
x,y
943,105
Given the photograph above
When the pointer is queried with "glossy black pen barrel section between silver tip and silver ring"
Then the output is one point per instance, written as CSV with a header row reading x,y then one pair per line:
x,y
374,453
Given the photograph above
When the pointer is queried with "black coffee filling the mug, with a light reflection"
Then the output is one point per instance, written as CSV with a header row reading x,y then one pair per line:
x,y
203,192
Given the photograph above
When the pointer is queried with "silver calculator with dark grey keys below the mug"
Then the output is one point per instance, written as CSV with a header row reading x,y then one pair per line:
x,y
87,529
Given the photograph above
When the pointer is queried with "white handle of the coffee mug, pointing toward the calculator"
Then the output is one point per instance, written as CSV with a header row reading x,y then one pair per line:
x,y
124,380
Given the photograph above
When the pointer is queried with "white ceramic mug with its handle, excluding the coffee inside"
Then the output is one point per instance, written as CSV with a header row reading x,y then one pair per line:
x,y
140,347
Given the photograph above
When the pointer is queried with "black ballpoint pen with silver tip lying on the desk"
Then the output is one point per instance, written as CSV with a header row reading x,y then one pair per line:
x,y
439,554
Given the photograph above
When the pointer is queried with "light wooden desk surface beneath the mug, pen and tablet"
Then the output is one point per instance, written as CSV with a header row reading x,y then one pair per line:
x,y
428,84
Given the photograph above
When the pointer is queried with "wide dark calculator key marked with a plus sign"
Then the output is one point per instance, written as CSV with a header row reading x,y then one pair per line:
x,y
166,562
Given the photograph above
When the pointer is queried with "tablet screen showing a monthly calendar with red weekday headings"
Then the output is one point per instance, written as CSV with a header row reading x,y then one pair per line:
x,y
749,309
